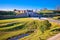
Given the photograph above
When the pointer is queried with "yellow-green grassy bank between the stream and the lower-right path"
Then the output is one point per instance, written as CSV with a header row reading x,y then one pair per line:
x,y
38,35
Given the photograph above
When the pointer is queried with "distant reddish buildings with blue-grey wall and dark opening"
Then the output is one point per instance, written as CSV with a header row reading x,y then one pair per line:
x,y
29,13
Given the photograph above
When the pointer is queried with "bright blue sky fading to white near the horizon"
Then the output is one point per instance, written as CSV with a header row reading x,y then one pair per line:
x,y
28,4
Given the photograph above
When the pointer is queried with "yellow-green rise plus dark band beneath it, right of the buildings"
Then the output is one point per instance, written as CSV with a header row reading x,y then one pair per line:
x,y
49,13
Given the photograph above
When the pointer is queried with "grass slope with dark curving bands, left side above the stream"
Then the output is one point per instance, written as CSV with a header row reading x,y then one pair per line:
x,y
13,30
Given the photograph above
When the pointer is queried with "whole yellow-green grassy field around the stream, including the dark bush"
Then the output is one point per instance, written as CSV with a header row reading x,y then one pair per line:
x,y
42,29
